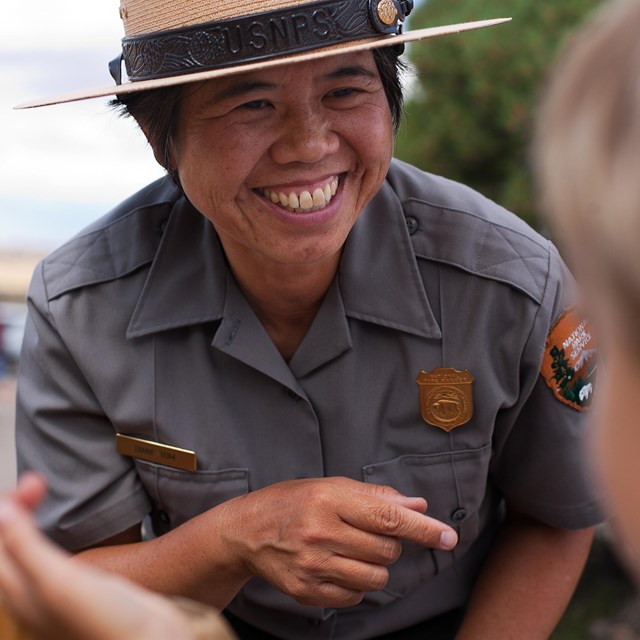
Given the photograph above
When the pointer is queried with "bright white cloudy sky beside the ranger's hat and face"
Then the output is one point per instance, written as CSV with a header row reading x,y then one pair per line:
x,y
62,166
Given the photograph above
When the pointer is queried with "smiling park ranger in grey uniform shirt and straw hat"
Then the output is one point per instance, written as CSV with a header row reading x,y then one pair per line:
x,y
315,387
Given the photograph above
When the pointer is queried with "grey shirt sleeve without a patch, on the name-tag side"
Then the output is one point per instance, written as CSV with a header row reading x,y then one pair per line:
x,y
63,433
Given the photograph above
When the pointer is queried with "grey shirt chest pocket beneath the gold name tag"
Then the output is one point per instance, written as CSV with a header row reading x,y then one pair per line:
x,y
178,496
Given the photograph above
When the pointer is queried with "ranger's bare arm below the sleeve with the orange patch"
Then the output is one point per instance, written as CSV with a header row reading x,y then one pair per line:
x,y
527,582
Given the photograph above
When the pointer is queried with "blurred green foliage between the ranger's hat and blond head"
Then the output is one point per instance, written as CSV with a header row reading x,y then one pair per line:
x,y
470,116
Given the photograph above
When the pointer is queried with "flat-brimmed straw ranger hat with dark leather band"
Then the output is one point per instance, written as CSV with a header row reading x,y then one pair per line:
x,y
169,42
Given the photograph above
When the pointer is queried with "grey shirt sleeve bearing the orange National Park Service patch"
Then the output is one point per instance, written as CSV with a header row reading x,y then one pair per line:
x,y
541,461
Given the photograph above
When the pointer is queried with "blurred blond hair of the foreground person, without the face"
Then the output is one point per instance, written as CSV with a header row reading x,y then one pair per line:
x,y
588,157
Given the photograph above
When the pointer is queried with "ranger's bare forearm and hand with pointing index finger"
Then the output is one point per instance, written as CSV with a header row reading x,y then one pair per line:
x,y
323,541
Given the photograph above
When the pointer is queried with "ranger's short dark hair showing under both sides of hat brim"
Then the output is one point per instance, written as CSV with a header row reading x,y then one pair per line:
x,y
156,110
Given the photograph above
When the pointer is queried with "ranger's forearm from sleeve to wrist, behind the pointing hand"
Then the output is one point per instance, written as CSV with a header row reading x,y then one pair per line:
x,y
192,561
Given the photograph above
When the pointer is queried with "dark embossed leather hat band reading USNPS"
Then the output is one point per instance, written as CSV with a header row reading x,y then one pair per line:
x,y
261,36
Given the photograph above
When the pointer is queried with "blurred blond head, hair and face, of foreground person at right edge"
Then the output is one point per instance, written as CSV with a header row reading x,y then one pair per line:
x,y
588,164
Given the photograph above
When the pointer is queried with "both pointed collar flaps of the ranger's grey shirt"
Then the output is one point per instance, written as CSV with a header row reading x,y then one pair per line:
x,y
378,276
